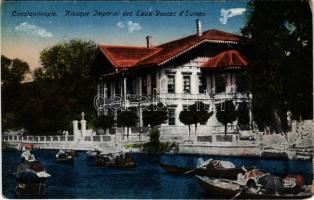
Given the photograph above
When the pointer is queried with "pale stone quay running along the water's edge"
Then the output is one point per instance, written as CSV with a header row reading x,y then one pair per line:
x,y
234,150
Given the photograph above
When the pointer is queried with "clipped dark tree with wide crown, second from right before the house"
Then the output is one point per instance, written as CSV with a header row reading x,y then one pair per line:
x,y
199,113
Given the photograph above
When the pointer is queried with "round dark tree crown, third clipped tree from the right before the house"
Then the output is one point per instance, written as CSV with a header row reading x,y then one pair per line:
x,y
155,115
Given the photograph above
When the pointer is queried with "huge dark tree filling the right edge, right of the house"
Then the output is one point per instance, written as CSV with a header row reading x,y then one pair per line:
x,y
281,72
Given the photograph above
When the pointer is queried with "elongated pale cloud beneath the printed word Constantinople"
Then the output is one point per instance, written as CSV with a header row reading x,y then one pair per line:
x,y
34,30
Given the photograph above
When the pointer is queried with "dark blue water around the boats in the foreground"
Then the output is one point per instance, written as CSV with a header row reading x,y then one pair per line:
x,y
83,180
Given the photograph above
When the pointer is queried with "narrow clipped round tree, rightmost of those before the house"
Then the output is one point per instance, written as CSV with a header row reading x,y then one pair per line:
x,y
226,113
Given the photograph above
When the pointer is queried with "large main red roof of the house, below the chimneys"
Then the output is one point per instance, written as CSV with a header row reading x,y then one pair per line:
x,y
128,56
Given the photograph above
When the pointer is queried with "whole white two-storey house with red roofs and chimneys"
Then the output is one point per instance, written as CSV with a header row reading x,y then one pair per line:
x,y
207,66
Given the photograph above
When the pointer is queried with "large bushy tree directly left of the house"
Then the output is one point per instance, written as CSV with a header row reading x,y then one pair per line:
x,y
61,88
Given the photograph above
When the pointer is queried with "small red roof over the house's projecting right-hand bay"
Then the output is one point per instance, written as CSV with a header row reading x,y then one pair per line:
x,y
226,59
